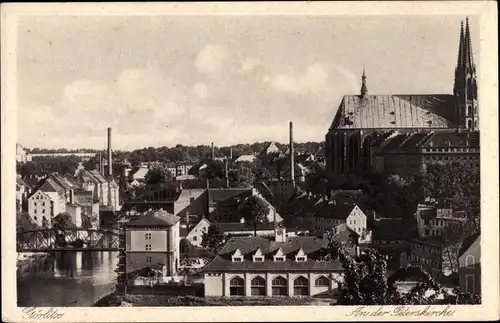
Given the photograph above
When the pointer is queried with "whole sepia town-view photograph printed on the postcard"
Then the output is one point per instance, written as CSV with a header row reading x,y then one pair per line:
x,y
250,160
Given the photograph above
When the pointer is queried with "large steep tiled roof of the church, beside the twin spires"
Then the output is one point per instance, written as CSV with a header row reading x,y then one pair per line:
x,y
395,111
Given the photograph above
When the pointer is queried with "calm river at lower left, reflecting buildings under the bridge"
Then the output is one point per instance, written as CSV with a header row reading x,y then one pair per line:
x,y
67,279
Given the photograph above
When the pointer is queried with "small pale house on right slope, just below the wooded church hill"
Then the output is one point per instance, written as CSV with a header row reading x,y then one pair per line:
x,y
432,221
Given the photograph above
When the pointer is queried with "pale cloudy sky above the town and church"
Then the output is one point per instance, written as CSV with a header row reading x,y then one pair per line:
x,y
193,80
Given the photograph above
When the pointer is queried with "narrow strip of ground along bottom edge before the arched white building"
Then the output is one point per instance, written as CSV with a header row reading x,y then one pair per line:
x,y
113,300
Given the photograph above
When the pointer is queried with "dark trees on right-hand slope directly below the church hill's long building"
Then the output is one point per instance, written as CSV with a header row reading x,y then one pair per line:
x,y
464,179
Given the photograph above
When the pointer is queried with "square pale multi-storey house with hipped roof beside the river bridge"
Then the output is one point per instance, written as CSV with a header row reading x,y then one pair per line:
x,y
152,239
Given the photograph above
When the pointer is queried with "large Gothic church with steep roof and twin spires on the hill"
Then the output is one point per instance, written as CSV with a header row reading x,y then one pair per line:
x,y
364,119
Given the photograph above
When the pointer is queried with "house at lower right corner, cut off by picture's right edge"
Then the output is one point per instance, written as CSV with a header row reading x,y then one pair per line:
x,y
469,272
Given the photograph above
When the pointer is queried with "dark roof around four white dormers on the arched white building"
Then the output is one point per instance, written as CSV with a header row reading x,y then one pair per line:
x,y
249,245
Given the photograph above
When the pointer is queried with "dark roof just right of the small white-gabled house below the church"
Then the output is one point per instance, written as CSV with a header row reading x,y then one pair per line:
x,y
388,229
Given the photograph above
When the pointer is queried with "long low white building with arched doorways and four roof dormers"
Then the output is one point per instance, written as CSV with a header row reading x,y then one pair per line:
x,y
279,266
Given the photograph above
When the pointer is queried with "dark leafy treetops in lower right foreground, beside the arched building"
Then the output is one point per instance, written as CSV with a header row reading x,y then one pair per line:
x,y
365,281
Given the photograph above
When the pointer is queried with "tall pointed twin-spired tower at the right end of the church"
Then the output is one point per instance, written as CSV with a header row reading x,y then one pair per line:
x,y
465,85
